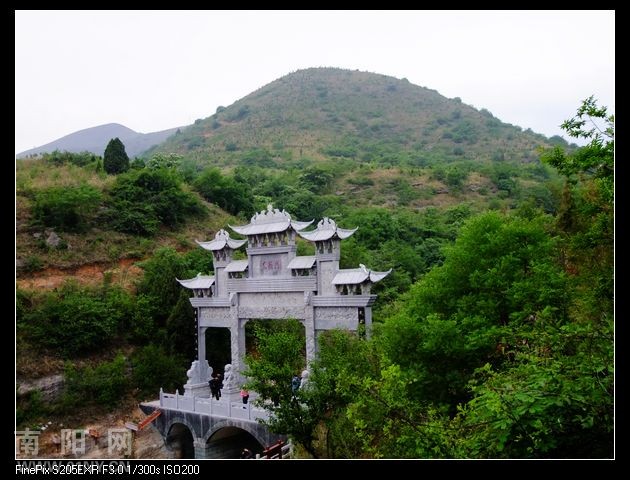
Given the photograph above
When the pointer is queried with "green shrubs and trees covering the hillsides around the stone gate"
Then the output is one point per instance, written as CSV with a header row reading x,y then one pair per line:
x,y
493,335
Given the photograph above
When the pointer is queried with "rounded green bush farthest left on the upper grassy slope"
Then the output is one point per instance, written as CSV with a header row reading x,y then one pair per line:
x,y
66,208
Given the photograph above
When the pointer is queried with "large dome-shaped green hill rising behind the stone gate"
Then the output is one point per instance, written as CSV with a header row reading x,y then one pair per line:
x,y
330,112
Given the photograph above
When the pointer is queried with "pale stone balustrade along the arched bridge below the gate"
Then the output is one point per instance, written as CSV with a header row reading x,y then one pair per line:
x,y
210,406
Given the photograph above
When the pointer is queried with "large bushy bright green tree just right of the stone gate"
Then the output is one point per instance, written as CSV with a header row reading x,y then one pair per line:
x,y
500,270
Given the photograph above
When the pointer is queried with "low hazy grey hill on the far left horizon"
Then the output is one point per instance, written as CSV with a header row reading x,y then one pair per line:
x,y
95,140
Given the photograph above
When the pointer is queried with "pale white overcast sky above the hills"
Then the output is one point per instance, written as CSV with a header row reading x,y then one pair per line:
x,y
156,70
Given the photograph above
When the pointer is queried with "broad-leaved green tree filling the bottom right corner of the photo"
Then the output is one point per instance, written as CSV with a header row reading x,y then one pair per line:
x,y
554,400
